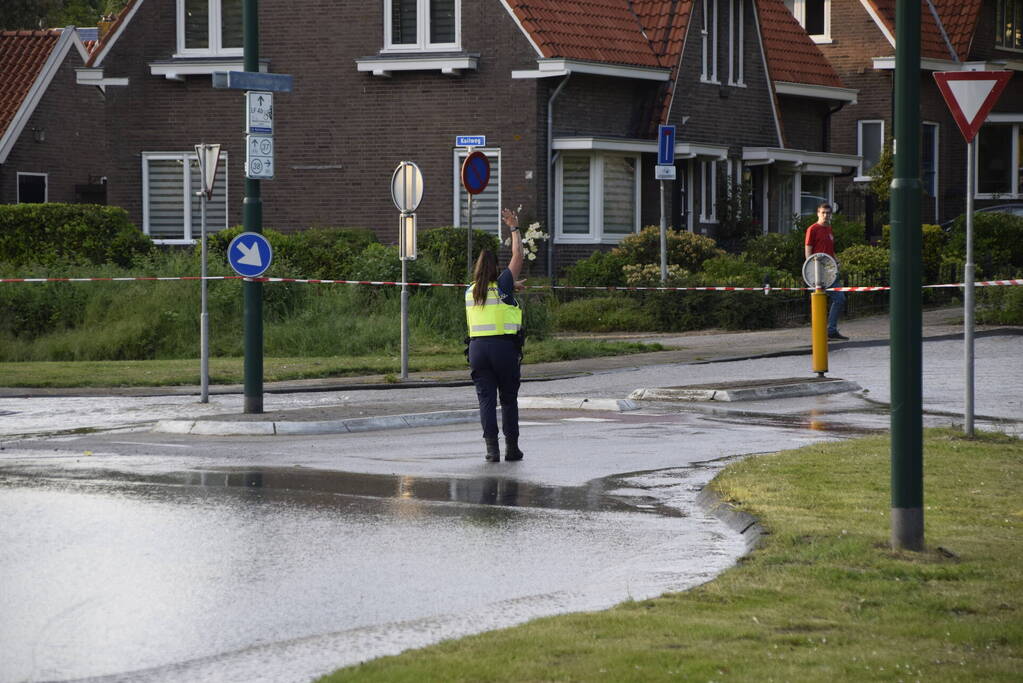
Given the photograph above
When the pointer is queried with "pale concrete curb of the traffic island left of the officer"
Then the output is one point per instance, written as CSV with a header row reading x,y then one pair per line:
x,y
354,425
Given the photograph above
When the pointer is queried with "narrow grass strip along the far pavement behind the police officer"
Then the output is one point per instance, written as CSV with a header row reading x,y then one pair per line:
x,y
232,371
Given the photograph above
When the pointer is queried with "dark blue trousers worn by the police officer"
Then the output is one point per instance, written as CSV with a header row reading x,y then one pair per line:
x,y
495,361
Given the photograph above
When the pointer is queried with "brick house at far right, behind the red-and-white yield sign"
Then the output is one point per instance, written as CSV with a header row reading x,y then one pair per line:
x,y
859,39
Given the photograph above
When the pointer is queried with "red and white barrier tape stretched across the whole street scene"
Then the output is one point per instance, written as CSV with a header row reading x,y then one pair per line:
x,y
766,290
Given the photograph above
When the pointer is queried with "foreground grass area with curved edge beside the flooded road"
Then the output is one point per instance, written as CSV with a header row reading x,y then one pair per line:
x,y
823,599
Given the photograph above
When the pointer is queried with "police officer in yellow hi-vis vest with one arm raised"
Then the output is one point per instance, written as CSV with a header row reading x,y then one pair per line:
x,y
495,321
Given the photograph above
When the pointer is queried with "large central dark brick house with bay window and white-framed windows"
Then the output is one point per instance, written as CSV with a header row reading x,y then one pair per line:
x,y
577,87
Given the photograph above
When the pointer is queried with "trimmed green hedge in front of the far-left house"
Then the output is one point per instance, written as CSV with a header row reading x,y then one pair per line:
x,y
49,234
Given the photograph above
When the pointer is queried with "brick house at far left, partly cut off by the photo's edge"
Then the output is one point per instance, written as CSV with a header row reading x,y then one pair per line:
x,y
51,129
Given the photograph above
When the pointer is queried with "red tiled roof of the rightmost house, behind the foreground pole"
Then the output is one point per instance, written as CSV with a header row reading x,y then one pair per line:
x,y
958,17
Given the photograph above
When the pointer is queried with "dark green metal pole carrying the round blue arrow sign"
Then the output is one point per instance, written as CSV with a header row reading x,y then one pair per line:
x,y
253,221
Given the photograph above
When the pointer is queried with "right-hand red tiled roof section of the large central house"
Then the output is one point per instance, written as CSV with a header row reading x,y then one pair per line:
x,y
792,56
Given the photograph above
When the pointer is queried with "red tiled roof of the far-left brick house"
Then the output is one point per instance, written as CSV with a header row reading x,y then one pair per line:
x,y
23,55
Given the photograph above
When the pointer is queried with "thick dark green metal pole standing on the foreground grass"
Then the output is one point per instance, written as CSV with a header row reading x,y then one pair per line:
x,y
907,365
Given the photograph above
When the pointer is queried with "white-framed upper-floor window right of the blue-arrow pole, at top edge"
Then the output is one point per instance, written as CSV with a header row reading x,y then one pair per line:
x,y
422,25
